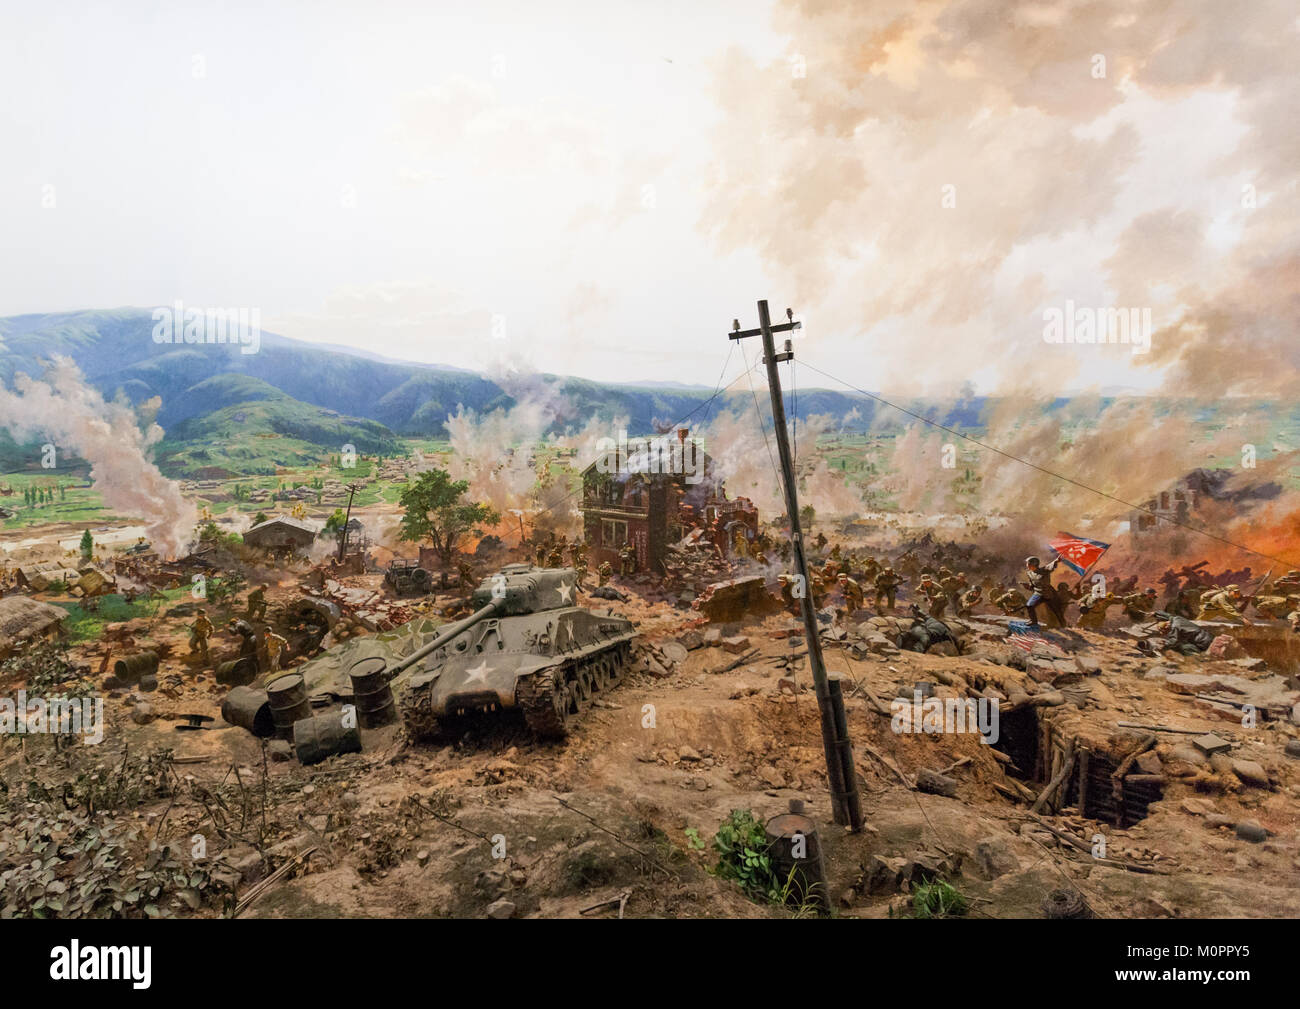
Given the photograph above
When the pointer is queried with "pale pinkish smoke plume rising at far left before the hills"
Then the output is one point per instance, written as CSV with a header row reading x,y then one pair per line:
x,y
109,436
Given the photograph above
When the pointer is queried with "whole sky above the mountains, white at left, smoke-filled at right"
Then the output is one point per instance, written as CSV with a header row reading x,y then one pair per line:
x,y
599,189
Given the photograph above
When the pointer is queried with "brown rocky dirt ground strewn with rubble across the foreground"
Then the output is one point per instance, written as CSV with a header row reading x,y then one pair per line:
x,y
489,822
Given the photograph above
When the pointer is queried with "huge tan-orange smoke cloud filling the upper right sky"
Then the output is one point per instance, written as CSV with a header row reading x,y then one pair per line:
x,y
930,177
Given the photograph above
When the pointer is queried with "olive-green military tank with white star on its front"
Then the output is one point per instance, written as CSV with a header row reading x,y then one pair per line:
x,y
527,646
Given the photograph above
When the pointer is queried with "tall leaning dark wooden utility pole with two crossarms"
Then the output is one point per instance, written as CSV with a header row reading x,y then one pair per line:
x,y
842,777
